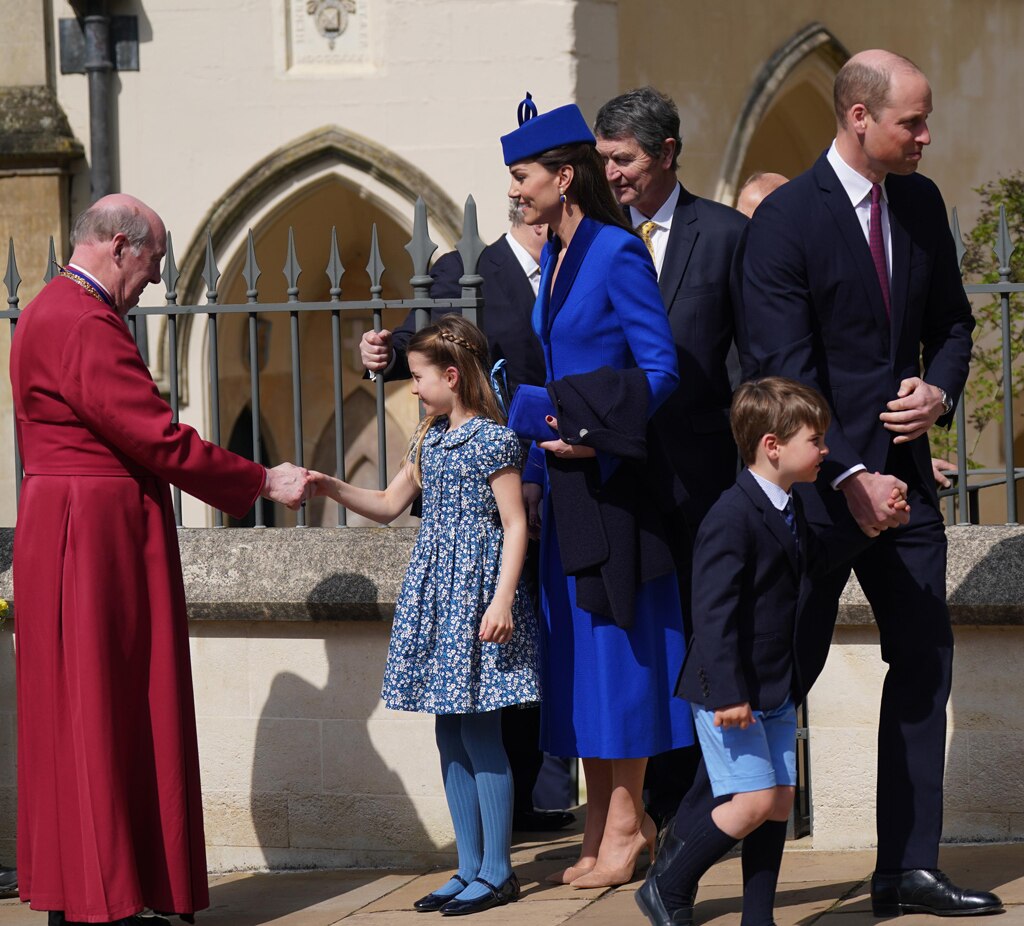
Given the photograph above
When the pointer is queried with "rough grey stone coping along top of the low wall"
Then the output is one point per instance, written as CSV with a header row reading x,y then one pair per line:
x,y
355,574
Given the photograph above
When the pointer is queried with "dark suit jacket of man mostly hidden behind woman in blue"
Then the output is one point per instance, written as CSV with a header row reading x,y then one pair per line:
x,y
508,307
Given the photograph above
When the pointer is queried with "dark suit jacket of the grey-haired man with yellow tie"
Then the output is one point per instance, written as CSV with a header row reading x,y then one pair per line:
x,y
697,289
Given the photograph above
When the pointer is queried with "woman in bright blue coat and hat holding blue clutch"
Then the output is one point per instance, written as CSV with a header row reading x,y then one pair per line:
x,y
610,667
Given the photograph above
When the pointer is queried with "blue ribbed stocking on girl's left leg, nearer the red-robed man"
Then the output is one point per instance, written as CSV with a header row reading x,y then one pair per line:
x,y
460,790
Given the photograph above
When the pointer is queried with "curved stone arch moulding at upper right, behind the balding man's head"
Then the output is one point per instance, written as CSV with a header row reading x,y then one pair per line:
x,y
815,41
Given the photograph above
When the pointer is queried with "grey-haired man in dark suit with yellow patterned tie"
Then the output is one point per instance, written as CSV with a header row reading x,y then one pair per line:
x,y
693,242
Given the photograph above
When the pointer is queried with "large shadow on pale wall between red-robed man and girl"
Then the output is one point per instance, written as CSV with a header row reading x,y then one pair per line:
x,y
322,792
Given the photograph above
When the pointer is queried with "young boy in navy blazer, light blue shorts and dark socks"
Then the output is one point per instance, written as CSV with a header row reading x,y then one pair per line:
x,y
752,565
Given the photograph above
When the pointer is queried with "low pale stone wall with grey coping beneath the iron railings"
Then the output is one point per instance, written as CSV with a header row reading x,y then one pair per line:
x,y
303,767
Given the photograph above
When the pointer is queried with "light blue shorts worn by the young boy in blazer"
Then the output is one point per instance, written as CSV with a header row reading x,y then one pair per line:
x,y
762,756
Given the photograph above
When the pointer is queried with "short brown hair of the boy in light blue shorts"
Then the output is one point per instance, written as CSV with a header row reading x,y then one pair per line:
x,y
777,406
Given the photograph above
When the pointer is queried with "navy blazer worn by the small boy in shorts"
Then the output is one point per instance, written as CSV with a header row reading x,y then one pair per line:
x,y
749,582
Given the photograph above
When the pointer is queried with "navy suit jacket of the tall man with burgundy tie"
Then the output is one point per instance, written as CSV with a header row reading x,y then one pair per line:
x,y
814,310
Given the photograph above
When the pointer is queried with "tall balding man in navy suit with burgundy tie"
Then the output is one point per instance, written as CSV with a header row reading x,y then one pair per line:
x,y
851,285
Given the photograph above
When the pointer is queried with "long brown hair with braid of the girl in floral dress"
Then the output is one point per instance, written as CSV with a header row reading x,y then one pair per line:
x,y
453,342
